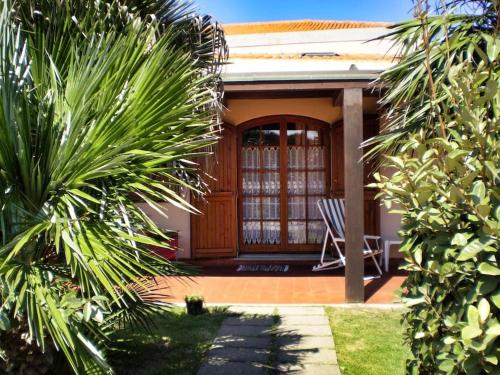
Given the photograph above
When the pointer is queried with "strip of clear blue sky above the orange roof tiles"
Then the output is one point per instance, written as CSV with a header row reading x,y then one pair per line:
x,y
234,11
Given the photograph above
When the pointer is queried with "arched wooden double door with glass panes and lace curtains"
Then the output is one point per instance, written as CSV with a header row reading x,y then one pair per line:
x,y
284,169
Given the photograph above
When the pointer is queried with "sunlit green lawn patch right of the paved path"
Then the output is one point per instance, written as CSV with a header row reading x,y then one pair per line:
x,y
368,341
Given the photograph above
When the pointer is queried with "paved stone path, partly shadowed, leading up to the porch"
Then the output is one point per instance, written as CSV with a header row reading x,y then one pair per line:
x,y
273,340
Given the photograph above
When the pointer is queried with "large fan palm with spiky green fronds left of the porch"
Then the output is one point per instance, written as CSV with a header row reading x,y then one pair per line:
x,y
103,105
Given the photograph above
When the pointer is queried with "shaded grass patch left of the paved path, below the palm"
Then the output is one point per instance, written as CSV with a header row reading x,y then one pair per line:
x,y
177,345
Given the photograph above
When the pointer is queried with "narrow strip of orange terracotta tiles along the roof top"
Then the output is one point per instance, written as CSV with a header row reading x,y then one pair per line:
x,y
294,26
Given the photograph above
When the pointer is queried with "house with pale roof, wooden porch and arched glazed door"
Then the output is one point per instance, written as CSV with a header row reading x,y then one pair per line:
x,y
299,101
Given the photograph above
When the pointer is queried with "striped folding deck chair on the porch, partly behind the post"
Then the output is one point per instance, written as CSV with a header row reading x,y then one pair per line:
x,y
333,213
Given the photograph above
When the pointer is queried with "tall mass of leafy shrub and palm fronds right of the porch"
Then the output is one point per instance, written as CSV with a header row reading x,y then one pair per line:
x,y
442,143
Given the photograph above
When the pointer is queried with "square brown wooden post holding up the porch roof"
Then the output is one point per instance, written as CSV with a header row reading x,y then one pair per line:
x,y
354,195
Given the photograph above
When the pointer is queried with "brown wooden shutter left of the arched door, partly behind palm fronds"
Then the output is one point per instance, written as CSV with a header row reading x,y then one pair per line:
x,y
214,232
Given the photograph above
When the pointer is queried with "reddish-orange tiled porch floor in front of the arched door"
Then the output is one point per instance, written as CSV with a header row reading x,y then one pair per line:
x,y
298,286
